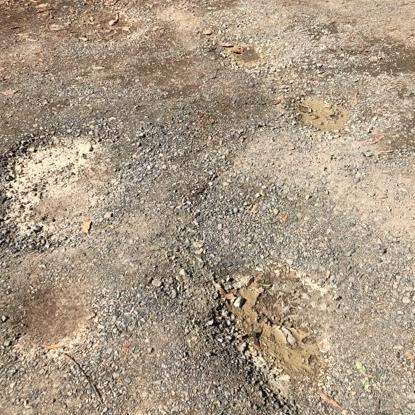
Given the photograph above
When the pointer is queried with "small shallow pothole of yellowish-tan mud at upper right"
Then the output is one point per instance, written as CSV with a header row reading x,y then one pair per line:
x,y
323,115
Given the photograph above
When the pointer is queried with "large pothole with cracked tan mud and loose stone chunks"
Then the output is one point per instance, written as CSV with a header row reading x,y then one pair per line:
x,y
282,315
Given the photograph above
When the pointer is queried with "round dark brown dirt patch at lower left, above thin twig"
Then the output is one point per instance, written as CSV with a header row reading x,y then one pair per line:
x,y
53,317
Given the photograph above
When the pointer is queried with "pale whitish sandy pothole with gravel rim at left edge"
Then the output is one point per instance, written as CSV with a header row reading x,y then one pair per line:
x,y
55,188
